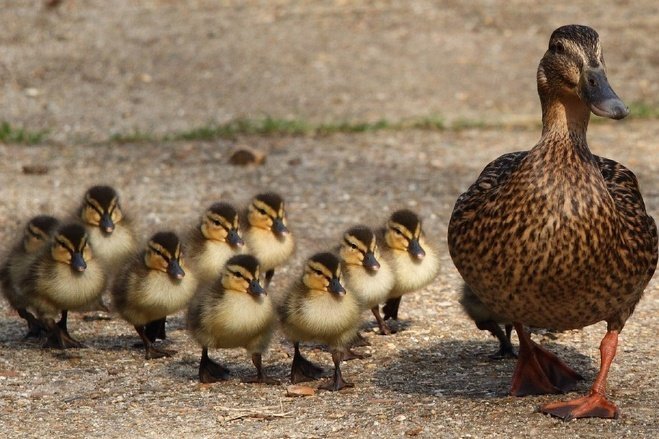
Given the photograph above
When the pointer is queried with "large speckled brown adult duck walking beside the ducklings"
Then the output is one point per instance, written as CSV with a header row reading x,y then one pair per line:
x,y
557,237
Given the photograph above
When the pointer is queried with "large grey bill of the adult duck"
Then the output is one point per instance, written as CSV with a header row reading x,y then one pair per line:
x,y
595,91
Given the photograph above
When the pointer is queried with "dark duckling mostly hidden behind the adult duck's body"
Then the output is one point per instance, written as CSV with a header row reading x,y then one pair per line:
x,y
486,320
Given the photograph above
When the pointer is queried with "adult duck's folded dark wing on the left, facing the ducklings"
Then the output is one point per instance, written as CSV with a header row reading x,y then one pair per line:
x,y
494,175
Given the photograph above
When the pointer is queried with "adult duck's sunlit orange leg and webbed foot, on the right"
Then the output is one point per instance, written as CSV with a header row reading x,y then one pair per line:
x,y
595,405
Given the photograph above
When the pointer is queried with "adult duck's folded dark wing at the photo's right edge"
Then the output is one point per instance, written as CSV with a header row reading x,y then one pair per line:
x,y
640,228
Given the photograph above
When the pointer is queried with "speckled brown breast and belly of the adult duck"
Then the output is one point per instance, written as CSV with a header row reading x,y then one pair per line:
x,y
547,251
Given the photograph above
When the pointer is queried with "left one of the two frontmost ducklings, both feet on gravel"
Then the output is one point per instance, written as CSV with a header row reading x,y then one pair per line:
x,y
233,312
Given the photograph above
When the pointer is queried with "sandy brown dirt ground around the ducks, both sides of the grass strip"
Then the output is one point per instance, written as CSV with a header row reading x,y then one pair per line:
x,y
92,68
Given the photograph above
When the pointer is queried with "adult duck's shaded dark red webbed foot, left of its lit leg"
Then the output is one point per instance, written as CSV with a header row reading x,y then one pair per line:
x,y
538,371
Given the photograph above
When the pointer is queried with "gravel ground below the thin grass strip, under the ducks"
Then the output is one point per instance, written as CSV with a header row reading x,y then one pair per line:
x,y
431,379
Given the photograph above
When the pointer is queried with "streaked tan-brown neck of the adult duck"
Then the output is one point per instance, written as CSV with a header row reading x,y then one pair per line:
x,y
564,125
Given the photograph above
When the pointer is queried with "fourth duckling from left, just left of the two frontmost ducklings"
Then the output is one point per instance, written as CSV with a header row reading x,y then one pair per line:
x,y
152,286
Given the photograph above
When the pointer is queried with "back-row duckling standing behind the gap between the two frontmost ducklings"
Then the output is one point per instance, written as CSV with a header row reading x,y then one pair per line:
x,y
267,236
